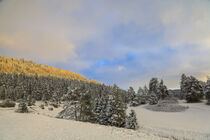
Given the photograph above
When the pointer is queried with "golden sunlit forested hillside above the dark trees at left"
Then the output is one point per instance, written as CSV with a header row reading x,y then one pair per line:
x,y
11,65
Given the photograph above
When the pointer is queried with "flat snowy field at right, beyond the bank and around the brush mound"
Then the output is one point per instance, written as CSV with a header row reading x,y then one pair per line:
x,y
193,124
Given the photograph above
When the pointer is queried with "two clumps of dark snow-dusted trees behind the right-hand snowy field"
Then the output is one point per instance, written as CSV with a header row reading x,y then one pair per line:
x,y
192,90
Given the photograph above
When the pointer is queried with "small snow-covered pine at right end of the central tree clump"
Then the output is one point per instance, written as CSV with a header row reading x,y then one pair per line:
x,y
131,121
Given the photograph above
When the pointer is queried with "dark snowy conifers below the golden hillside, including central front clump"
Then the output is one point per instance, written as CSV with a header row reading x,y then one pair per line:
x,y
84,101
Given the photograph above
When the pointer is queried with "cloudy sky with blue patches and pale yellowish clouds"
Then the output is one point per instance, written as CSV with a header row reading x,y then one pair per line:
x,y
126,42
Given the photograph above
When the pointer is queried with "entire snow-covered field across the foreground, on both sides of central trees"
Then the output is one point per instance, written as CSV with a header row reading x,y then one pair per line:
x,y
192,124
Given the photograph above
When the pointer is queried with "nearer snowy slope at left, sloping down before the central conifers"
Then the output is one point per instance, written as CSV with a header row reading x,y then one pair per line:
x,y
41,125
